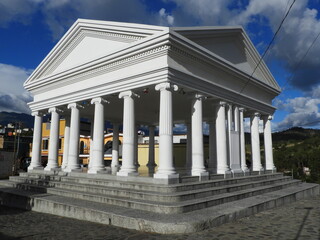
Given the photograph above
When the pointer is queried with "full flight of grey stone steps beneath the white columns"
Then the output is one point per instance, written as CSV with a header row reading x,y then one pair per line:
x,y
143,204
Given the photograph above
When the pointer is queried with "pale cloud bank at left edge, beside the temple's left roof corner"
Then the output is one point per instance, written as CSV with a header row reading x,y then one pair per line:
x,y
13,97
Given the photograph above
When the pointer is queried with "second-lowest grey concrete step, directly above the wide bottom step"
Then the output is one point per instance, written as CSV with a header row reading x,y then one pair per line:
x,y
171,207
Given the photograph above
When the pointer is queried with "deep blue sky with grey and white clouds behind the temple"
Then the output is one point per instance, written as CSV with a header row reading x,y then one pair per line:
x,y
29,29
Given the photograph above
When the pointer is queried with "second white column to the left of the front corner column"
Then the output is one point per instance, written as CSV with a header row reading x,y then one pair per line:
x,y
97,161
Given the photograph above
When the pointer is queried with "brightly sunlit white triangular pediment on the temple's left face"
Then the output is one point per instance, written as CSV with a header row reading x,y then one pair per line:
x,y
88,41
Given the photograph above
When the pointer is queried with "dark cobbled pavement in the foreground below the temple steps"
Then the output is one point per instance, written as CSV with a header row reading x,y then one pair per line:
x,y
299,220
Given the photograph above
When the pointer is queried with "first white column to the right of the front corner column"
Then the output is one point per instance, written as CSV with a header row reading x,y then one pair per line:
x,y
198,167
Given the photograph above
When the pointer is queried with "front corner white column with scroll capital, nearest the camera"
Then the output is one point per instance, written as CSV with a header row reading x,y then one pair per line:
x,y
166,168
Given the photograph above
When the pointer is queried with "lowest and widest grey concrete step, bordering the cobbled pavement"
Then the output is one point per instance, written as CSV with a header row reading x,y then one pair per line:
x,y
153,222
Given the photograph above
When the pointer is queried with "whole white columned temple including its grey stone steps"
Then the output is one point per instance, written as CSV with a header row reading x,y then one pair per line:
x,y
136,75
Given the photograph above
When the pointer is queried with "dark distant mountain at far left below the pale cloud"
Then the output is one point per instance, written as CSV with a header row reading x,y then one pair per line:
x,y
12,117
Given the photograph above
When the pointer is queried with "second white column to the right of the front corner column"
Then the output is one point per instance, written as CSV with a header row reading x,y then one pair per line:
x,y
221,138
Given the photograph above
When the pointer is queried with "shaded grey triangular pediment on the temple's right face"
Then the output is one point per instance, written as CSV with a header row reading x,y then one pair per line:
x,y
233,46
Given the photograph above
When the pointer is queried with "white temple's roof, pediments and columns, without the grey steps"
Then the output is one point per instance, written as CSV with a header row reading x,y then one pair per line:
x,y
134,74
